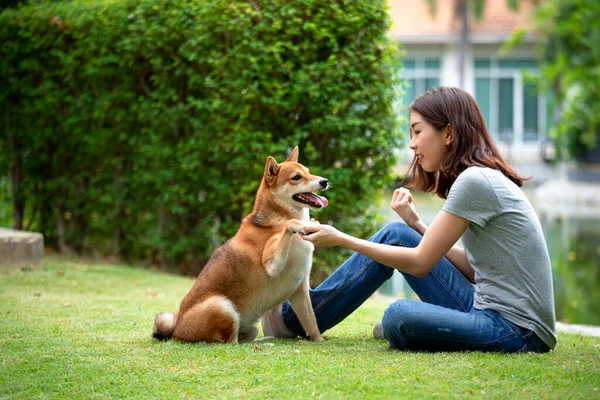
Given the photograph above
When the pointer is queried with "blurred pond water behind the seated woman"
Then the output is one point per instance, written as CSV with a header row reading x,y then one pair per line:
x,y
574,247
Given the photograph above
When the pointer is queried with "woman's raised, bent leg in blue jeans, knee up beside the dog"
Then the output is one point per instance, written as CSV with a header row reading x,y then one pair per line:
x,y
358,278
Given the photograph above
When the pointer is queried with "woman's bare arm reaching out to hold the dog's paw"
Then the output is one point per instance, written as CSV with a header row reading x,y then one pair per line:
x,y
438,239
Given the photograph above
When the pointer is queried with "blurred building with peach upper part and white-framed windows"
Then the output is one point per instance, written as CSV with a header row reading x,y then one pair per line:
x,y
517,116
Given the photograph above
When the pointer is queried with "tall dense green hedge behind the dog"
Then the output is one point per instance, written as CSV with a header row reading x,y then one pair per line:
x,y
140,128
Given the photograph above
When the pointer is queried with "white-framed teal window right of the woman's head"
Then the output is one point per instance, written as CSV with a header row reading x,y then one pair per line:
x,y
514,111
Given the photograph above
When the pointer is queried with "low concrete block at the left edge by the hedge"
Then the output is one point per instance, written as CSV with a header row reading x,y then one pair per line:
x,y
20,249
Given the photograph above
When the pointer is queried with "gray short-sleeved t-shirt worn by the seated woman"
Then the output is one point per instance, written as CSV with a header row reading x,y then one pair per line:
x,y
505,246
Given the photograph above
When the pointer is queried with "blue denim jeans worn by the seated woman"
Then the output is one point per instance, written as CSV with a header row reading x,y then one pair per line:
x,y
444,319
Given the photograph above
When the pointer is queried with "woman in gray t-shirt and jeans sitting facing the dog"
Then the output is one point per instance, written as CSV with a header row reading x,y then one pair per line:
x,y
494,295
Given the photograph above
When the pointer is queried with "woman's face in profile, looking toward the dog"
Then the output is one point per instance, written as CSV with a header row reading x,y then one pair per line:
x,y
430,145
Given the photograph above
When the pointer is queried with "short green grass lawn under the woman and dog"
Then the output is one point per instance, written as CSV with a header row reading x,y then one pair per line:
x,y
77,330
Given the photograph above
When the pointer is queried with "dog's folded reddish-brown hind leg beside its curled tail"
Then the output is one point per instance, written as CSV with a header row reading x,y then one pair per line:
x,y
213,320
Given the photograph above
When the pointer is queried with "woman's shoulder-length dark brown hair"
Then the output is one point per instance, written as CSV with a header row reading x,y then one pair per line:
x,y
471,145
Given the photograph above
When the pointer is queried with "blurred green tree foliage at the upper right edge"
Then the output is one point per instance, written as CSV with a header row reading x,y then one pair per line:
x,y
570,33
